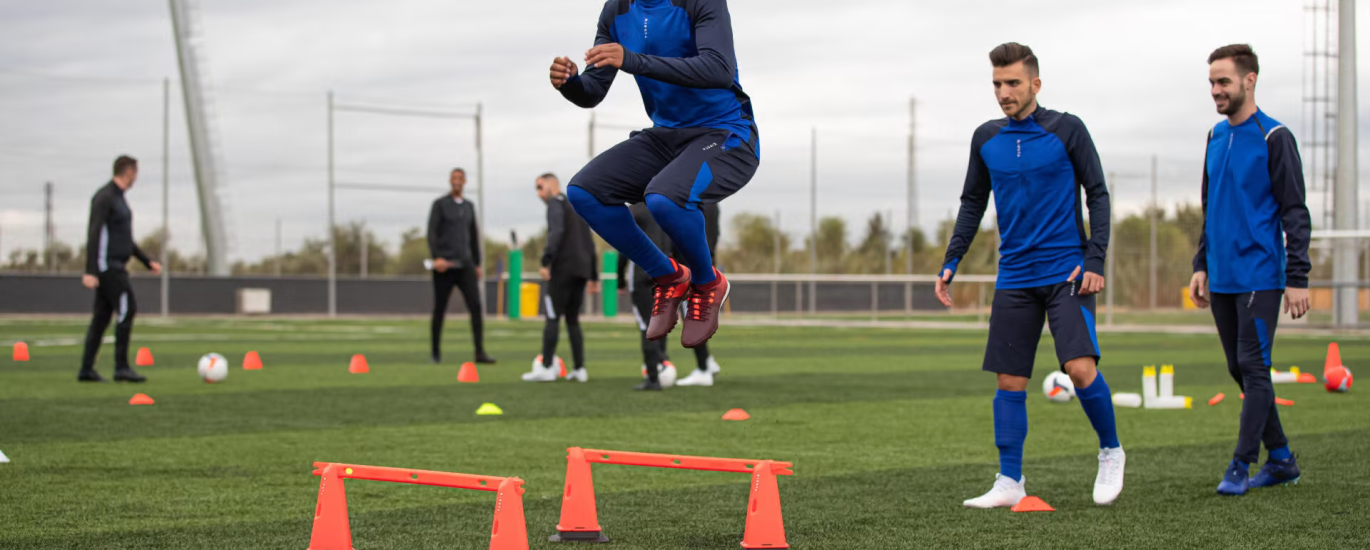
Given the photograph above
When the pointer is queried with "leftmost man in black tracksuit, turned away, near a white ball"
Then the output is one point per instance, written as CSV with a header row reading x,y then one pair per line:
x,y
109,248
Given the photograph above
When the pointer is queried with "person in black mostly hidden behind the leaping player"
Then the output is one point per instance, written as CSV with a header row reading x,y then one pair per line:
x,y
639,287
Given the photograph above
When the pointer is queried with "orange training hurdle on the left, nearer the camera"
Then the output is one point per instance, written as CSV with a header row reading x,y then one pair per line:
x,y
334,533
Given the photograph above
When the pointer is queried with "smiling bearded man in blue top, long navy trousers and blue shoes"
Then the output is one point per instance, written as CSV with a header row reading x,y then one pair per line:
x,y
1253,253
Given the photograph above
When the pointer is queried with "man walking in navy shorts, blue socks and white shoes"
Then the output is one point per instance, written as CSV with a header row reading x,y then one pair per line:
x,y
1036,163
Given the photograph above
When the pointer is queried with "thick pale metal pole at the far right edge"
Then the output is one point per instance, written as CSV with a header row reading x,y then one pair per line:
x,y
1345,261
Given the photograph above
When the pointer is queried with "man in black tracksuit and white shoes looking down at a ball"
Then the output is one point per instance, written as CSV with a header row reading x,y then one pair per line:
x,y
569,265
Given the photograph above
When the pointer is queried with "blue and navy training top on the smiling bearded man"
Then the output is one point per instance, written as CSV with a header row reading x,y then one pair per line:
x,y
1257,227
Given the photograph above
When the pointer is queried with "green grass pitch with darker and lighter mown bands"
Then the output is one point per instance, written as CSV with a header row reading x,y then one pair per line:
x,y
888,431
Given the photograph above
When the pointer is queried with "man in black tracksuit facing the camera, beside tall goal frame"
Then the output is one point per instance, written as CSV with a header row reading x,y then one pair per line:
x,y
456,245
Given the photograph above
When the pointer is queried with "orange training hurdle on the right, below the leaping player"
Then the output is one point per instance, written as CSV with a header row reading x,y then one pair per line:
x,y
580,522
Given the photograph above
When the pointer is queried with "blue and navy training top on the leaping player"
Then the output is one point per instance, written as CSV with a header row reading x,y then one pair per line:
x,y
682,54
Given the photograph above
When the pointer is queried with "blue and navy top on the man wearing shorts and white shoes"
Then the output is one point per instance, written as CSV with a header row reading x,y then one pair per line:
x,y
1035,169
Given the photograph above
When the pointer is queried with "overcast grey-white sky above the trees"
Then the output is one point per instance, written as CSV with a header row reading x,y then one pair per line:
x,y
80,83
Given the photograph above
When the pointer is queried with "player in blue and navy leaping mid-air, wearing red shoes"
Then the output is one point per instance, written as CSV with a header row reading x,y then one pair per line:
x,y
702,149
